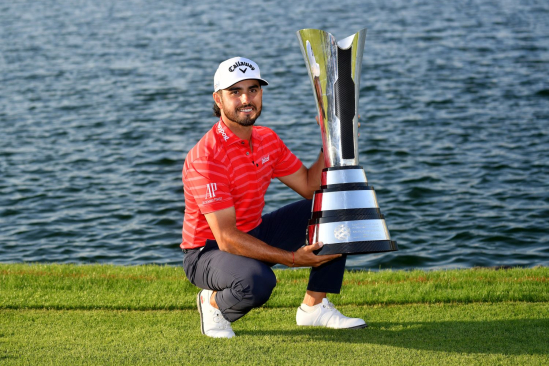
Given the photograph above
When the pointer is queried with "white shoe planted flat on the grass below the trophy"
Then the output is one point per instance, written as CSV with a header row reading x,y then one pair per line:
x,y
326,315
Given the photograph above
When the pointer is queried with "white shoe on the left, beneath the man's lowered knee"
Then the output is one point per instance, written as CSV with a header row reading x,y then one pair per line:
x,y
212,323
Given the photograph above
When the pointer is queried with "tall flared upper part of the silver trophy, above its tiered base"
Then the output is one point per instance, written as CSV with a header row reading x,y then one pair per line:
x,y
334,68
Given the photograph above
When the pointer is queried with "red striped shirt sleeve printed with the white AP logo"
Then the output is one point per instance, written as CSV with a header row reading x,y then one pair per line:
x,y
208,182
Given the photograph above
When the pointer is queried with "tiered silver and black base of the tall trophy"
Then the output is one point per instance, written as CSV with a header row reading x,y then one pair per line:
x,y
346,216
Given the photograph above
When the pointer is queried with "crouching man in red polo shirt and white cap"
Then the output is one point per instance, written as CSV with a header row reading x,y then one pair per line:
x,y
229,247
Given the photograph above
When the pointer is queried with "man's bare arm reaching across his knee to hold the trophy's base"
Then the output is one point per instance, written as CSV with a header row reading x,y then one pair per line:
x,y
232,240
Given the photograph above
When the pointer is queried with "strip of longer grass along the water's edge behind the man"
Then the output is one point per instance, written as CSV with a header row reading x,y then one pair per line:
x,y
41,286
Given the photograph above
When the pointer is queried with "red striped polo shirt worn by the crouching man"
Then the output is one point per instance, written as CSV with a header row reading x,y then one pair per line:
x,y
222,171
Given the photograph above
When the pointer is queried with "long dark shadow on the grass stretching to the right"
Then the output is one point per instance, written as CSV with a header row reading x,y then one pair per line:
x,y
510,337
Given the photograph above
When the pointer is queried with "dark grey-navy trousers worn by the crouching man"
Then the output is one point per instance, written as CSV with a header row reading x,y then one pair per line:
x,y
244,283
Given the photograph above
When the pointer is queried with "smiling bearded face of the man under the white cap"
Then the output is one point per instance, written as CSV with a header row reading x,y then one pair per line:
x,y
241,102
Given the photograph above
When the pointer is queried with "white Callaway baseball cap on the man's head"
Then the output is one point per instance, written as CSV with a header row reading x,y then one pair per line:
x,y
234,70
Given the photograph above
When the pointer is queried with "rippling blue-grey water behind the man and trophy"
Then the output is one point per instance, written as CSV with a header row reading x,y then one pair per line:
x,y
100,102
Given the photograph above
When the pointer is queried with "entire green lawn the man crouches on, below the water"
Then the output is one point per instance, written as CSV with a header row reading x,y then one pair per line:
x,y
94,314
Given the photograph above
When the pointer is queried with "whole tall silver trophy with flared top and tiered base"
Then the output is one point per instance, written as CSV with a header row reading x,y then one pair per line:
x,y
345,214
